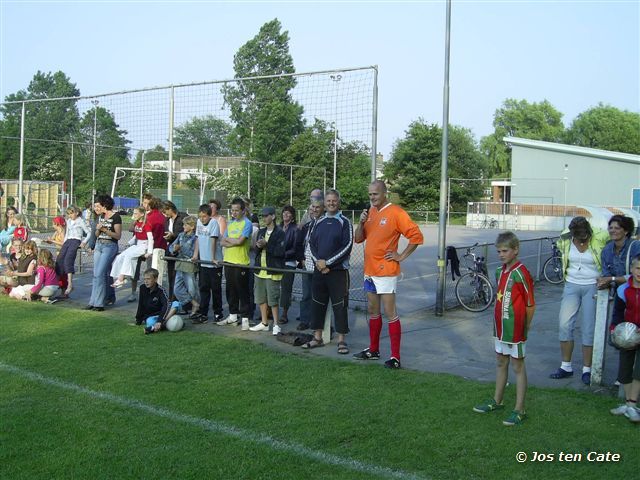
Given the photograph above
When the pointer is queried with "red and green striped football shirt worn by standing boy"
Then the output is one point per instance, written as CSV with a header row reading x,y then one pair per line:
x,y
514,295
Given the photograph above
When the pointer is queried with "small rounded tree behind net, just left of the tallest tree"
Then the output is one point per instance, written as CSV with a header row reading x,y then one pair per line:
x,y
203,136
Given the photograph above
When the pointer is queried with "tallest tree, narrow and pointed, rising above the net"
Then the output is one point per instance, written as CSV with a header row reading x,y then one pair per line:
x,y
266,117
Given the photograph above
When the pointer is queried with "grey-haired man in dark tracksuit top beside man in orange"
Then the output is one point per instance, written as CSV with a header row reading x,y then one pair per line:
x,y
330,244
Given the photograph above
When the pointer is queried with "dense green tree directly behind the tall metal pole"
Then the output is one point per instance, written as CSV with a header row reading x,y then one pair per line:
x,y
413,170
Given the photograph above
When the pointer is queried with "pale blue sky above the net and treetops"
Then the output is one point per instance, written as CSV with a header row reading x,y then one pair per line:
x,y
575,54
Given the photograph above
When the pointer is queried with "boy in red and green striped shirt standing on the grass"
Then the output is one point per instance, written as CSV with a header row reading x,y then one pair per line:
x,y
513,313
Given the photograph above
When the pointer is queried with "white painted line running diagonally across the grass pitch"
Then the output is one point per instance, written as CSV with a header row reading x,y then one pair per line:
x,y
210,425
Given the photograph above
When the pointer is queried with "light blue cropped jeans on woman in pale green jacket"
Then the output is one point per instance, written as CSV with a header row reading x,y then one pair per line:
x,y
577,298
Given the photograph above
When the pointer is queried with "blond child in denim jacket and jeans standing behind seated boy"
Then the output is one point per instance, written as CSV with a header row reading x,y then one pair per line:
x,y
186,287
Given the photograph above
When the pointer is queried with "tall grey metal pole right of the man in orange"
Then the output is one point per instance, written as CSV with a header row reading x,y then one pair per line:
x,y
442,224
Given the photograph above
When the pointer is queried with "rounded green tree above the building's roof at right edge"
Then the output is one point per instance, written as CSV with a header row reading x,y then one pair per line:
x,y
607,128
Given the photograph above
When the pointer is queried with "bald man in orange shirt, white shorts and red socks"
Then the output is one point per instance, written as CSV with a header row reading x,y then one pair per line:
x,y
381,226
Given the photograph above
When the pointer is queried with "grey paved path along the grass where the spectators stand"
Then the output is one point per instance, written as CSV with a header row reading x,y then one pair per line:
x,y
459,343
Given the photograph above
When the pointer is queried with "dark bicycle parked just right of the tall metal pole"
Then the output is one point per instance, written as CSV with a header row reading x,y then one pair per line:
x,y
473,289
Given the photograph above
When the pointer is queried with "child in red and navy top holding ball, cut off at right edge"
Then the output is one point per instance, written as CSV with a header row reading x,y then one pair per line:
x,y
629,367
